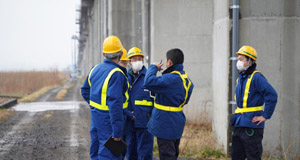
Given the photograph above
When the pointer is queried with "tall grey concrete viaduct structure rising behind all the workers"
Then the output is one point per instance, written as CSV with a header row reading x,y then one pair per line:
x,y
202,29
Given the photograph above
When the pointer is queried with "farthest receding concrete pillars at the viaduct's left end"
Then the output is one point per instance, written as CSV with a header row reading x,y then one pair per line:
x,y
91,34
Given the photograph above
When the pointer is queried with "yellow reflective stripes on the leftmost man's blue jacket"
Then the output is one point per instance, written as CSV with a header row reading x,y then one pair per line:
x,y
103,105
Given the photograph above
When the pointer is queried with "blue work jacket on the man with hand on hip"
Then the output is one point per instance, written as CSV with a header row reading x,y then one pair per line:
x,y
260,93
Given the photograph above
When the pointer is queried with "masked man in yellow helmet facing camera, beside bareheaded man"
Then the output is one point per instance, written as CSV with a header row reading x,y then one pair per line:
x,y
140,105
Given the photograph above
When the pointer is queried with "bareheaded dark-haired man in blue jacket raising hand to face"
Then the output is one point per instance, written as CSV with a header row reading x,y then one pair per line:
x,y
172,91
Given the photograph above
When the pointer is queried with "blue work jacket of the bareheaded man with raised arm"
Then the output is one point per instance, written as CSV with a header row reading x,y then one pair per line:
x,y
169,91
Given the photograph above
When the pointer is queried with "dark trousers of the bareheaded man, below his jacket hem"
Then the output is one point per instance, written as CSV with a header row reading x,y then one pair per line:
x,y
168,149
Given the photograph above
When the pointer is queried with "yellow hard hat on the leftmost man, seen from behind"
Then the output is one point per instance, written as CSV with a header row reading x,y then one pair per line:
x,y
112,44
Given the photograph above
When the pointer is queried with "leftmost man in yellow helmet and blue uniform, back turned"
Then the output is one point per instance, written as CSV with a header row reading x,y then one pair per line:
x,y
106,91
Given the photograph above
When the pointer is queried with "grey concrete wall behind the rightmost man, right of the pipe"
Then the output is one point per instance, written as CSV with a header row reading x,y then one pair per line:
x,y
273,28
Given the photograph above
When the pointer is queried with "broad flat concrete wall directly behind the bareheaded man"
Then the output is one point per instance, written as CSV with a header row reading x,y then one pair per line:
x,y
187,25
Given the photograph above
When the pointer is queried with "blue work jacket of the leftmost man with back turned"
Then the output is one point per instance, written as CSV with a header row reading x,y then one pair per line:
x,y
111,121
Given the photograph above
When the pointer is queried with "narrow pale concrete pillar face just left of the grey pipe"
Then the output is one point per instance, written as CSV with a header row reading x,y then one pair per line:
x,y
220,72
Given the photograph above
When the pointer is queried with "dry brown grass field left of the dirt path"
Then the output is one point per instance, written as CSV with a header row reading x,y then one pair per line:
x,y
29,85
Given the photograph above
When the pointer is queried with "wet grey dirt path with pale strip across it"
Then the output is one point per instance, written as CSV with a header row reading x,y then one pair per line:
x,y
48,129
